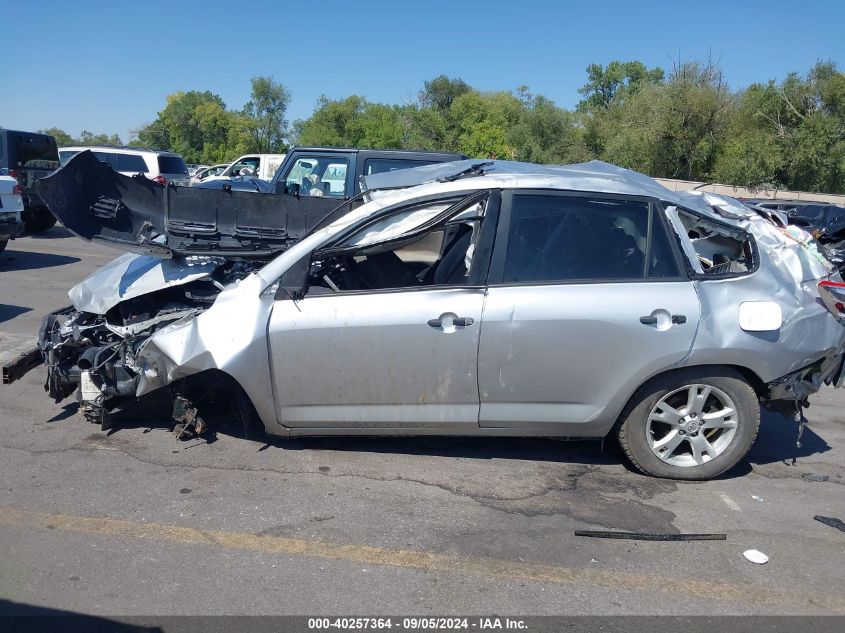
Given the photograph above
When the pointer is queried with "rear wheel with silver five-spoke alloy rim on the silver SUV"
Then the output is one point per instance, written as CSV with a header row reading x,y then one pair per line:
x,y
691,424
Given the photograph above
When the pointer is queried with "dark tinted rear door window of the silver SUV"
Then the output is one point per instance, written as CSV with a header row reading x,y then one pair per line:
x,y
567,238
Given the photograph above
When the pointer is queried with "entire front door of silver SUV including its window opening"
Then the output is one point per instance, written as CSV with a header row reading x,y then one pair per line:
x,y
387,334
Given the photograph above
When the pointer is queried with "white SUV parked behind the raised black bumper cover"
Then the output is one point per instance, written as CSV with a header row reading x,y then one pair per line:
x,y
160,166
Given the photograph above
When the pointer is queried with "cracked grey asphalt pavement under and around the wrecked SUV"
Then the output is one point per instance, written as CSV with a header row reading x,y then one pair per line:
x,y
423,525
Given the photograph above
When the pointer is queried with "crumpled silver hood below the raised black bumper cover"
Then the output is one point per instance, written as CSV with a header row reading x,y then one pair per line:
x,y
131,276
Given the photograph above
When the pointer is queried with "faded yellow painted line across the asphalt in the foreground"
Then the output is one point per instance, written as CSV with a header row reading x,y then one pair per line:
x,y
488,567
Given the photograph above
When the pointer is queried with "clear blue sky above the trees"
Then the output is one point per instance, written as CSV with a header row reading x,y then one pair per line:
x,y
108,66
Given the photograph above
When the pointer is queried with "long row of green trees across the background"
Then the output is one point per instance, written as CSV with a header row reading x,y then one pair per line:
x,y
681,123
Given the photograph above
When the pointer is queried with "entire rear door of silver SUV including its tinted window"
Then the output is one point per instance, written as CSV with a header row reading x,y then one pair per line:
x,y
587,300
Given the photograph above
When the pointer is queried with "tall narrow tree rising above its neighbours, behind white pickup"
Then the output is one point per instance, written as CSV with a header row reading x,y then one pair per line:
x,y
267,108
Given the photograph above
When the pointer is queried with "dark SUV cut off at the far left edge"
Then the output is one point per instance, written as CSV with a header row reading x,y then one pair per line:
x,y
28,156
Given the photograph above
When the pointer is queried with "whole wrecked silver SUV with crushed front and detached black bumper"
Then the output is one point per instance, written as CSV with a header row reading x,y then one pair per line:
x,y
464,298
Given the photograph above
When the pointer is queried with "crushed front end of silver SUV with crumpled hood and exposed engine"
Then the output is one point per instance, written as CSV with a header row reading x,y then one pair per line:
x,y
92,348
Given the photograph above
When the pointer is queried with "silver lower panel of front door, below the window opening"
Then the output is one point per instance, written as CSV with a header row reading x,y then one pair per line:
x,y
391,359
